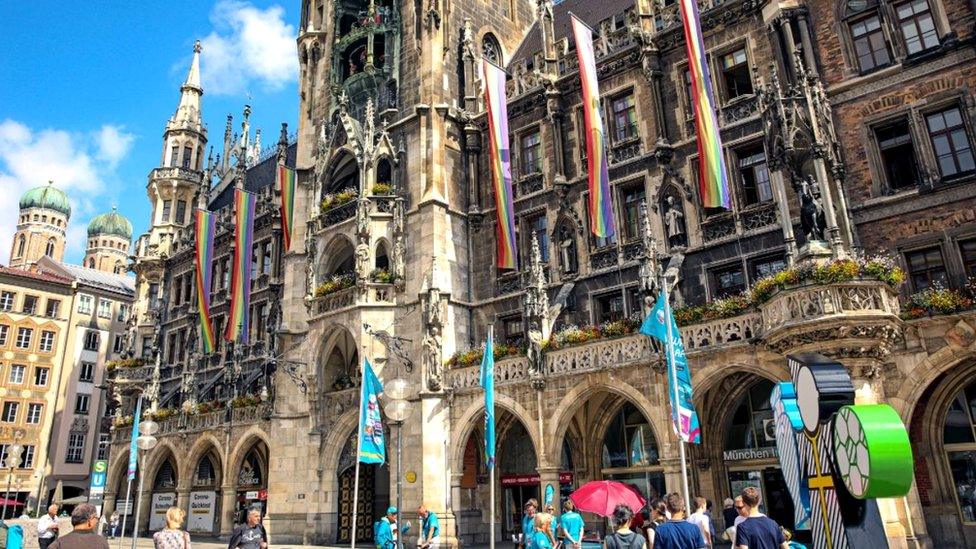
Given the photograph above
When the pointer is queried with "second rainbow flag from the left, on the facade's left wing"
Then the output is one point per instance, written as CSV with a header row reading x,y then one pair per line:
x,y
240,283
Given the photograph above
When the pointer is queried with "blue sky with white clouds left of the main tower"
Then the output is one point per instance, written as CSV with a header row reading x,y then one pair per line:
x,y
87,88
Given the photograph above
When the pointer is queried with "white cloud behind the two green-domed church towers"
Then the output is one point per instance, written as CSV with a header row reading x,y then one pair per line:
x,y
79,164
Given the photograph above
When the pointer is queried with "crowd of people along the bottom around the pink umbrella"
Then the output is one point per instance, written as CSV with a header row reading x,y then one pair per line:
x,y
668,525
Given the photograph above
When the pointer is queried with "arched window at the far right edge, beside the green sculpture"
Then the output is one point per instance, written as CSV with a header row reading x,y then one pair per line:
x,y
959,437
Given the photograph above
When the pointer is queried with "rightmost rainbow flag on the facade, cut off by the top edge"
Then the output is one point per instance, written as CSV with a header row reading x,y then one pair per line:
x,y
713,182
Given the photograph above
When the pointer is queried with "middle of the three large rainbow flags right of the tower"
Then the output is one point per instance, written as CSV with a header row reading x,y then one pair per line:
x,y
601,202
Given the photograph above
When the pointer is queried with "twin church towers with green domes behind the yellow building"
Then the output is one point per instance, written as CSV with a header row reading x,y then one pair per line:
x,y
43,224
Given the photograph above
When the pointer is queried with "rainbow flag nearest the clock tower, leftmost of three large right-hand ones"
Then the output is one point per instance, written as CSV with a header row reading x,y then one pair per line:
x,y
500,156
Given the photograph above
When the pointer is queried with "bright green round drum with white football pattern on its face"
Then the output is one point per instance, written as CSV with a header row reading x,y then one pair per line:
x,y
872,452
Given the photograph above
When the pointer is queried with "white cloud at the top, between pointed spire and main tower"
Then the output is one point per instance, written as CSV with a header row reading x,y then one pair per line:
x,y
248,47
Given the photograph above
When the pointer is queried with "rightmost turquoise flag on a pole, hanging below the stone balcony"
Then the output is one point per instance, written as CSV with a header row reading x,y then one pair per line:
x,y
683,414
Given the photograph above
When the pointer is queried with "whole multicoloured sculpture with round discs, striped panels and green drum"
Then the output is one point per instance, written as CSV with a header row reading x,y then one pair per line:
x,y
837,456
